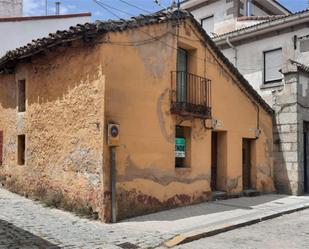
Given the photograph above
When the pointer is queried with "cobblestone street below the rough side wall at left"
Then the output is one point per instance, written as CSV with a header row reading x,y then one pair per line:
x,y
25,224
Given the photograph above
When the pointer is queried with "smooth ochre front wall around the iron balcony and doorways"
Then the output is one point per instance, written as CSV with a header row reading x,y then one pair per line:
x,y
138,98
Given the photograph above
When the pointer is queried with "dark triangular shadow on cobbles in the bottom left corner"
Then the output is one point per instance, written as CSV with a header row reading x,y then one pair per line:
x,y
14,237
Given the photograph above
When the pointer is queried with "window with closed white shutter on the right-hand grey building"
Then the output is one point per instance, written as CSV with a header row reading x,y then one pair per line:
x,y
273,61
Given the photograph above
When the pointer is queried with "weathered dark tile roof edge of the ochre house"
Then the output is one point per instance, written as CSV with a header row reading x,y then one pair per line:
x,y
90,30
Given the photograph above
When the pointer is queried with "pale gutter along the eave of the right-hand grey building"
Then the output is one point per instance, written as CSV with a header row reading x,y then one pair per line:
x,y
264,27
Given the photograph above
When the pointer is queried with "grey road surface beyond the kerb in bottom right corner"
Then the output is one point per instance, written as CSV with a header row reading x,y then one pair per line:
x,y
286,232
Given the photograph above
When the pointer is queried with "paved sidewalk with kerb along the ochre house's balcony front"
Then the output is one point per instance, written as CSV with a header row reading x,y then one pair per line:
x,y
207,219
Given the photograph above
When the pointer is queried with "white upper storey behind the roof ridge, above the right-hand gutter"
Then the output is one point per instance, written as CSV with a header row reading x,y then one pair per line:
x,y
222,16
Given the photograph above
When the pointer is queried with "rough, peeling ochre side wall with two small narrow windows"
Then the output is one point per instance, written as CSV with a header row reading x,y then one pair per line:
x,y
63,124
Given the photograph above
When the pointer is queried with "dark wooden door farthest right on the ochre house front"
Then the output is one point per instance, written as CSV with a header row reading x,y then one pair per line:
x,y
246,164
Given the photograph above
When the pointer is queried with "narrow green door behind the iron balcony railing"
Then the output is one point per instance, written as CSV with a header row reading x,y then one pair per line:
x,y
182,69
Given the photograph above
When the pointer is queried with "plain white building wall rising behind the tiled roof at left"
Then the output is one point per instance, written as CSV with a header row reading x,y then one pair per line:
x,y
21,30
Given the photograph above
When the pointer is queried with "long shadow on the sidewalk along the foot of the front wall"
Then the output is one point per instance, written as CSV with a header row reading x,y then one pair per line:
x,y
206,208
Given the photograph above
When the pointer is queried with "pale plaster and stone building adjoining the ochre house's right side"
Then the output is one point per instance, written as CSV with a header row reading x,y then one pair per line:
x,y
271,50
